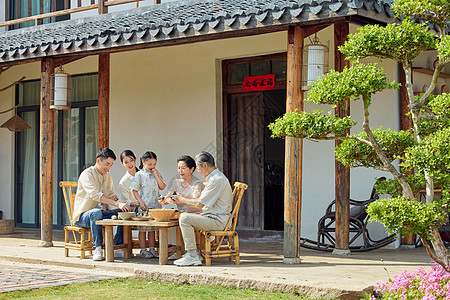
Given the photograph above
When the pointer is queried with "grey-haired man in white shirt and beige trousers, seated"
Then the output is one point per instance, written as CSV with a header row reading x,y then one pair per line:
x,y
216,202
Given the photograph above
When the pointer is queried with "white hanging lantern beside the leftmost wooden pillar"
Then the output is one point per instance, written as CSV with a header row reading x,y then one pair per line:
x,y
61,90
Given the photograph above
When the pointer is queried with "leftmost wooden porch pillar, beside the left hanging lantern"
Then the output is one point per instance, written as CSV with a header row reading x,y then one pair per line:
x,y
46,133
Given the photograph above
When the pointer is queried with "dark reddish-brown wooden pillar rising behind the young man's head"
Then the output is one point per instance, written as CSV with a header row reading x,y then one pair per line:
x,y
103,100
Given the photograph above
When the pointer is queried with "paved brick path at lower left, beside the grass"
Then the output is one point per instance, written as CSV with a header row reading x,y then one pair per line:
x,y
20,276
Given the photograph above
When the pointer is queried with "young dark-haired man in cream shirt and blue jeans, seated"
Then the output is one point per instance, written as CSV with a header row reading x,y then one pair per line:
x,y
95,189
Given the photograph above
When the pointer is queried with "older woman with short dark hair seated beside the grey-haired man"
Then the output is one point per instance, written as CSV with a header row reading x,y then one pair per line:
x,y
187,186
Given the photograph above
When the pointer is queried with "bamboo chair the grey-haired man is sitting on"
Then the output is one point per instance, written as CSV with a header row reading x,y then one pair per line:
x,y
212,244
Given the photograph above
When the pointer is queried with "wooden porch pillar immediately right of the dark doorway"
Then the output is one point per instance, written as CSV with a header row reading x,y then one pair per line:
x,y
294,149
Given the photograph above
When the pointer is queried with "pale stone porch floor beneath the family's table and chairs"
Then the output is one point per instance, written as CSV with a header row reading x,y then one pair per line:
x,y
320,274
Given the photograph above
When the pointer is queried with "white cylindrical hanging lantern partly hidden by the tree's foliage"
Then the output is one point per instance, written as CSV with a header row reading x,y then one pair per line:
x,y
315,61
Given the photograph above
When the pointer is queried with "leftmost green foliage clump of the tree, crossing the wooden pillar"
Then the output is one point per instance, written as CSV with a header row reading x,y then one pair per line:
x,y
309,125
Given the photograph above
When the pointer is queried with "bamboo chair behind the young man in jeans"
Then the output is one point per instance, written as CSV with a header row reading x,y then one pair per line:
x,y
81,244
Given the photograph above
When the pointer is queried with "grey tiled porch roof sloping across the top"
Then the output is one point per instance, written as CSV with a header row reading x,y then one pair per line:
x,y
178,20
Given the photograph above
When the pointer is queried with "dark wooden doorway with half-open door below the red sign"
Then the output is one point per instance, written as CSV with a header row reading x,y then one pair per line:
x,y
250,154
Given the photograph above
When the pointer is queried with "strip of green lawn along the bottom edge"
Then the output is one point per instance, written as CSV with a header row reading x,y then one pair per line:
x,y
143,289
